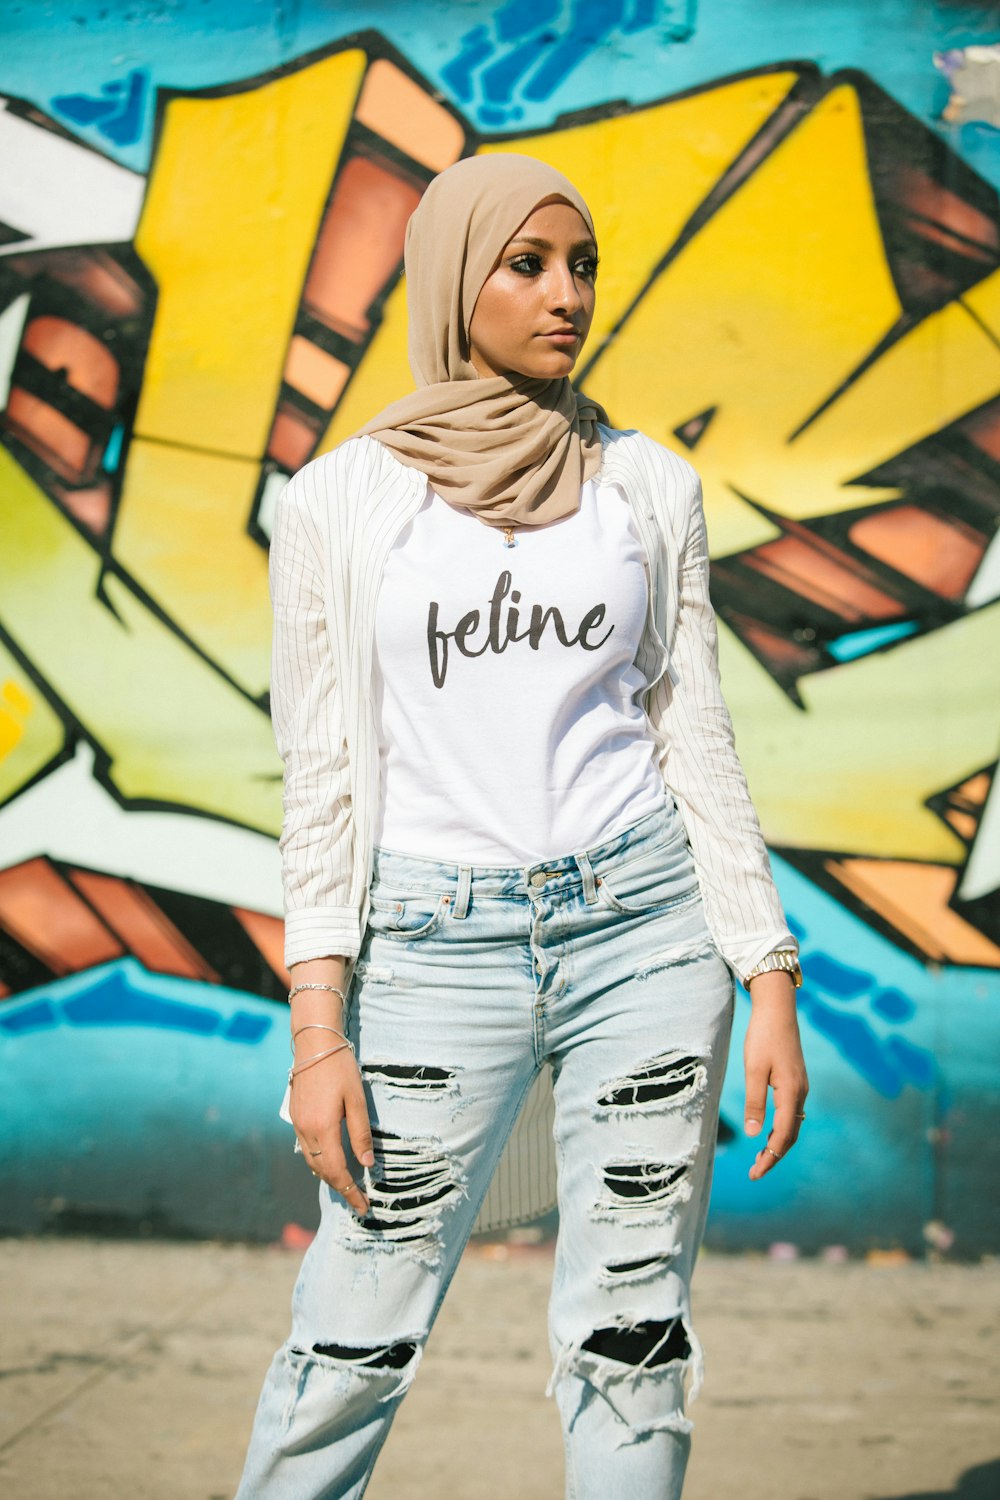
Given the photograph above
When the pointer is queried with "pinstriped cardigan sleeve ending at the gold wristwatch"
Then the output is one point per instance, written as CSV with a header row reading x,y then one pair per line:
x,y
701,767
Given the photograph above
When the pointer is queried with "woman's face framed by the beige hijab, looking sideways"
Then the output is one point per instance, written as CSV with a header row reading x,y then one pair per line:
x,y
536,308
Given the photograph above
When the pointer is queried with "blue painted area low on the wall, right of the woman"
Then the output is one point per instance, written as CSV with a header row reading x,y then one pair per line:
x,y
866,1169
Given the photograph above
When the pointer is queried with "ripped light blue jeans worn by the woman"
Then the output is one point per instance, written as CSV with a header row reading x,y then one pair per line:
x,y
470,980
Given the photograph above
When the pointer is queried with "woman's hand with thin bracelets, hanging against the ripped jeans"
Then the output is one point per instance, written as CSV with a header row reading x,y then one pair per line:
x,y
322,1099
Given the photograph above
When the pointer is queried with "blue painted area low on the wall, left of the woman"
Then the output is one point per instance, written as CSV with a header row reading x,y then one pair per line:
x,y
175,1121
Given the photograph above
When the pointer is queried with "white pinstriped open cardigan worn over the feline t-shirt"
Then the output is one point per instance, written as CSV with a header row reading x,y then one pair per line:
x,y
334,527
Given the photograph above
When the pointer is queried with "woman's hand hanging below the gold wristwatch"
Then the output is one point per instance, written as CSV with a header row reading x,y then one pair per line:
x,y
773,1055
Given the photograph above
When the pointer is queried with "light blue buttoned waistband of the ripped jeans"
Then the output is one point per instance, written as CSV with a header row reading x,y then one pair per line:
x,y
412,872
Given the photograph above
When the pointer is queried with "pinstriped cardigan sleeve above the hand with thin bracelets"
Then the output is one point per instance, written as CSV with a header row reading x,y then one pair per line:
x,y
308,722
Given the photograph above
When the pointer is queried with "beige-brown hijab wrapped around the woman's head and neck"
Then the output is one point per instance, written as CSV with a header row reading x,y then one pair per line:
x,y
513,451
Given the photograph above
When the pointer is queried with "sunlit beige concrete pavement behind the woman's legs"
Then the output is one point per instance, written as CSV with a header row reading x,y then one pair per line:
x,y
133,1369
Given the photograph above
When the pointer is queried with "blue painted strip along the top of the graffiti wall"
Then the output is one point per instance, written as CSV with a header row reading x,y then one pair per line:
x,y
223,43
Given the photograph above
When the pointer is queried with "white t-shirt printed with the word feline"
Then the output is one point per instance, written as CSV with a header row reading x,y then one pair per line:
x,y
507,698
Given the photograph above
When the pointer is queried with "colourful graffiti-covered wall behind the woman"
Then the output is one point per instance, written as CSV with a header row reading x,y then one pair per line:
x,y
202,229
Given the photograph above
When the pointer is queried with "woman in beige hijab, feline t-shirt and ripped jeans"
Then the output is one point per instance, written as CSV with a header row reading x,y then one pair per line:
x,y
516,839
